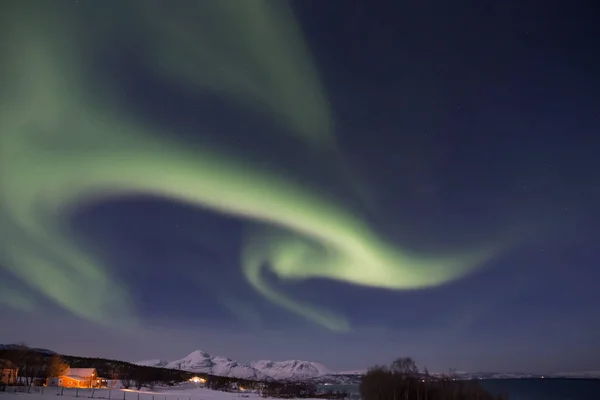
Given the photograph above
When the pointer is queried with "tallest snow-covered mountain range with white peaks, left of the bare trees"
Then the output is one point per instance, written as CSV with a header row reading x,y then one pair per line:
x,y
202,362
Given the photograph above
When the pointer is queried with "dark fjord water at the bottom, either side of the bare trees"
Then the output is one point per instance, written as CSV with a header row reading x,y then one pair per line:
x,y
527,389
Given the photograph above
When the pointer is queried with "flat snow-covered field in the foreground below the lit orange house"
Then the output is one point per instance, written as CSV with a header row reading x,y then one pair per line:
x,y
181,393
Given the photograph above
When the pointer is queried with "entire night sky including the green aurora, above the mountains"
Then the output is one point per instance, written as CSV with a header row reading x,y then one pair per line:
x,y
447,128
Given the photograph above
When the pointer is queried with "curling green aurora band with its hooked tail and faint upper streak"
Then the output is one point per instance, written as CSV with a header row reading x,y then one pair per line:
x,y
65,144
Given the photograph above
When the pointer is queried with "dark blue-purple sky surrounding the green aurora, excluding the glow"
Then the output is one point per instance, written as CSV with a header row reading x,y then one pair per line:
x,y
465,120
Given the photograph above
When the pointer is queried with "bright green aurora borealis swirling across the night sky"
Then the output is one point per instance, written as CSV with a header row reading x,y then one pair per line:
x,y
114,155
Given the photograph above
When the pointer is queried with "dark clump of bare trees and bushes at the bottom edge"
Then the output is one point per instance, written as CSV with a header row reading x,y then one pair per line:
x,y
403,381
